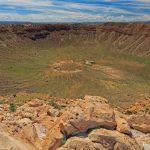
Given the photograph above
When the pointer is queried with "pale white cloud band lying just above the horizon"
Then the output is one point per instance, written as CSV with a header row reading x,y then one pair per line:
x,y
72,17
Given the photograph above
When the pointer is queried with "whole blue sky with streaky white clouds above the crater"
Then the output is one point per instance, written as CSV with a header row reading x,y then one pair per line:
x,y
74,10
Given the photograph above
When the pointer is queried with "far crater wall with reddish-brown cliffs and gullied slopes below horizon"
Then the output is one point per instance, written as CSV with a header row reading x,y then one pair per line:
x,y
133,38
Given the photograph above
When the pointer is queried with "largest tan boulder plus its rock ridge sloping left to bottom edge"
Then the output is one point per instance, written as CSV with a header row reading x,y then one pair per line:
x,y
82,115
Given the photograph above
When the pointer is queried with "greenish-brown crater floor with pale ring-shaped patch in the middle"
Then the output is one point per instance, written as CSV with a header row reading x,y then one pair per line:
x,y
74,71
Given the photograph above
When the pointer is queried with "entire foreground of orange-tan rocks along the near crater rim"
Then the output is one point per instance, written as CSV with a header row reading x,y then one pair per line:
x,y
84,124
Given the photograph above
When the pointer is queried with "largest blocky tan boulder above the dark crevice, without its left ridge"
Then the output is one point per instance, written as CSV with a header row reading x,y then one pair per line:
x,y
88,114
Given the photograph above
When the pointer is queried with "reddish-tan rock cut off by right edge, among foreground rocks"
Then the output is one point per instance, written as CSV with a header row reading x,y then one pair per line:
x,y
140,122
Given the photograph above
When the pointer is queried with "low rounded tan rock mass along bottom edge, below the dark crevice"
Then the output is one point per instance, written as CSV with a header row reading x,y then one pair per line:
x,y
101,139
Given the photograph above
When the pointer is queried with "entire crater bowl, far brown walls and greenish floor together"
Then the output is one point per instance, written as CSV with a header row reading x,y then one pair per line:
x,y
74,60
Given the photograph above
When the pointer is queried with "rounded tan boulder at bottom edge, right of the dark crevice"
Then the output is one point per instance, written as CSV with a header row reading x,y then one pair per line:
x,y
113,140
